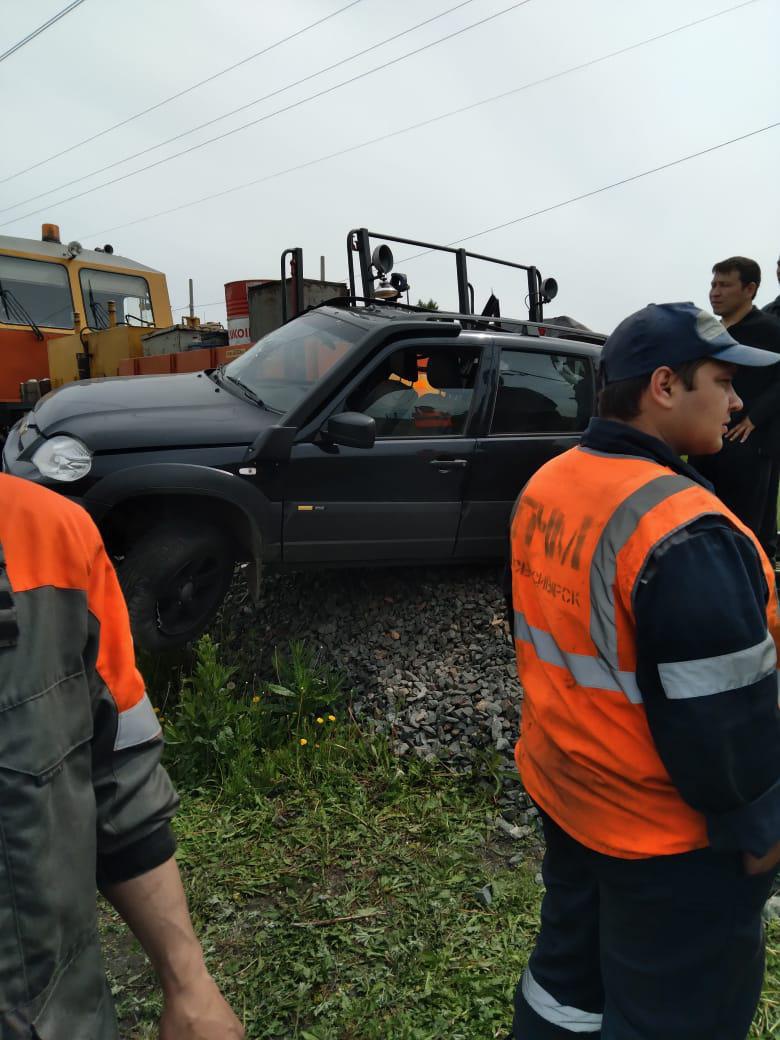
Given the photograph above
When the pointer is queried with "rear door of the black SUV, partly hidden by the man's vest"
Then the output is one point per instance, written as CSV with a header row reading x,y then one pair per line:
x,y
543,401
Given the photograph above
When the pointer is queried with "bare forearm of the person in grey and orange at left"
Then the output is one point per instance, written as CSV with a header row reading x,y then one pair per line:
x,y
155,907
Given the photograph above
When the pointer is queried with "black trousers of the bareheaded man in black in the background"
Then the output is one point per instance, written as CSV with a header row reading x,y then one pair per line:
x,y
747,482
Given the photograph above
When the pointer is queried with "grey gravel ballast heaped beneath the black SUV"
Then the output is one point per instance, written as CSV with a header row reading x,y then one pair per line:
x,y
426,651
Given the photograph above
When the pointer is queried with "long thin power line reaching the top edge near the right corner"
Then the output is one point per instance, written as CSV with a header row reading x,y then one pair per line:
x,y
415,126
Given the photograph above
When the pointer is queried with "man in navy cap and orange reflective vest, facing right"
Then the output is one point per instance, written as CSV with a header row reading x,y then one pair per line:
x,y
645,629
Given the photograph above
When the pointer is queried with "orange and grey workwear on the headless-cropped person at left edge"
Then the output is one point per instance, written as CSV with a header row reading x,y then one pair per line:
x,y
83,794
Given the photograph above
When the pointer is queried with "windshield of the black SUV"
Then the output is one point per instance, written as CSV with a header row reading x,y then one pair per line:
x,y
282,368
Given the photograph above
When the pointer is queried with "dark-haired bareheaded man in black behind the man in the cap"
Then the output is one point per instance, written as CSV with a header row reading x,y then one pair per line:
x,y
745,473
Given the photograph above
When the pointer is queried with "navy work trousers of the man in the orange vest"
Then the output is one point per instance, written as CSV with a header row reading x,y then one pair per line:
x,y
663,949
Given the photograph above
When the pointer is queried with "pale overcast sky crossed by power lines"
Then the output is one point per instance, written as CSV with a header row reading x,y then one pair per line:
x,y
653,240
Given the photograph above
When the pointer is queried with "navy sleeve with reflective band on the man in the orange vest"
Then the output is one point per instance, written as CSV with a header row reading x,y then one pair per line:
x,y
707,668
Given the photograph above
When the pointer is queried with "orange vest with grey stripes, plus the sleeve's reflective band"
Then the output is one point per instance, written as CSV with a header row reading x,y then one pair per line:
x,y
583,532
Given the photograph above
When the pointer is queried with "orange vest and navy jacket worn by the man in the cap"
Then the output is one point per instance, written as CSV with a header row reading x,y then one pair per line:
x,y
603,725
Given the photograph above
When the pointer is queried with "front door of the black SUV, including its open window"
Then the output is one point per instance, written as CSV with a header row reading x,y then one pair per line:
x,y
402,500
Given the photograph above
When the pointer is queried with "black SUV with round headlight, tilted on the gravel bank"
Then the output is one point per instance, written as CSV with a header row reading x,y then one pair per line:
x,y
361,434
